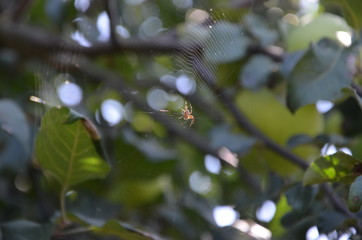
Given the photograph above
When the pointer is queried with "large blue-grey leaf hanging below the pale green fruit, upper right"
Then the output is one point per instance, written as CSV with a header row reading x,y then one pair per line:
x,y
319,75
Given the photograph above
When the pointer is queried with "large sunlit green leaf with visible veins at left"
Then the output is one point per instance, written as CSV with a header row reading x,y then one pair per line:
x,y
66,150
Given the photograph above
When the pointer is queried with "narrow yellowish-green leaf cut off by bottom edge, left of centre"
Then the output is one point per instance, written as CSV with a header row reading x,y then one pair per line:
x,y
124,231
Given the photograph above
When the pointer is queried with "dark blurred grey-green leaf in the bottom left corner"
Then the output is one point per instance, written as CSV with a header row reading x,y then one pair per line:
x,y
25,230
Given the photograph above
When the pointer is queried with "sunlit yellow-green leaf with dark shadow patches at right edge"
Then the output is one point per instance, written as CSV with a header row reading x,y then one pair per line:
x,y
338,167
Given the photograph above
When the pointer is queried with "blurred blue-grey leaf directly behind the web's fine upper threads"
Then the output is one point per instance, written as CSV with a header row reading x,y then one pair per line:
x,y
226,43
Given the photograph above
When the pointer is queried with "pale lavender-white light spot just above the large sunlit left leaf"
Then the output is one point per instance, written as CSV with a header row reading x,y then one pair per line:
x,y
70,93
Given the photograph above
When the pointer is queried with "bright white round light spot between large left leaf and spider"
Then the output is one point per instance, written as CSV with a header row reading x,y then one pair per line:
x,y
112,111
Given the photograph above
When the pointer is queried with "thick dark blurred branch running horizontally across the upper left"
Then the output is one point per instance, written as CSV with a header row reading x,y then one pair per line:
x,y
33,42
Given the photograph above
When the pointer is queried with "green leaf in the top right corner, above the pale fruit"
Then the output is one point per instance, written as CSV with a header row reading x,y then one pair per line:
x,y
351,11
